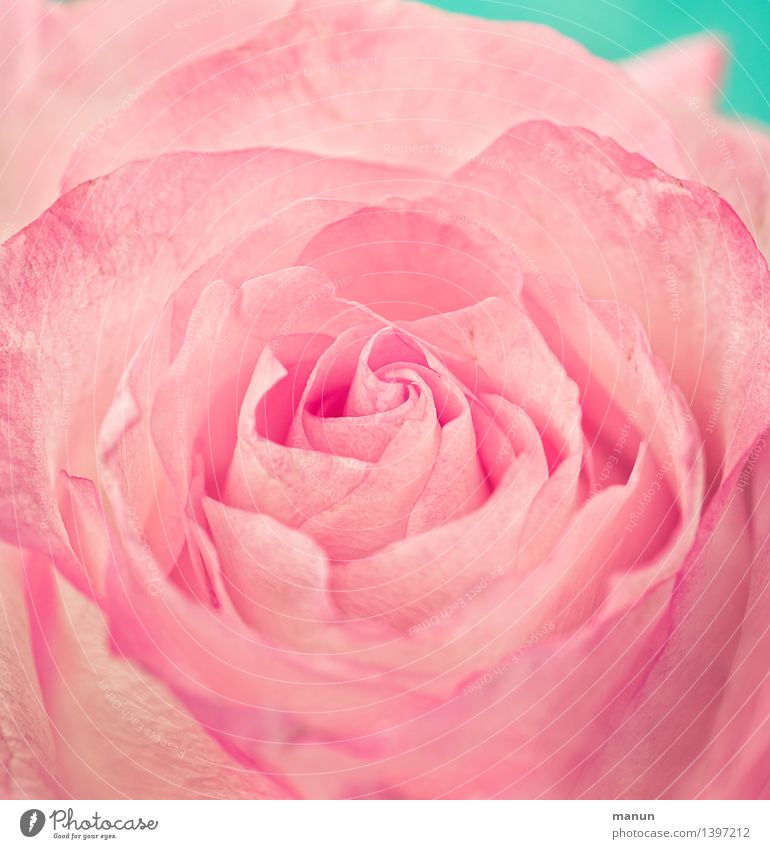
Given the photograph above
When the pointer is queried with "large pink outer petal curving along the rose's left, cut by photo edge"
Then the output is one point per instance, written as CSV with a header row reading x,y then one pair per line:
x,y
82,285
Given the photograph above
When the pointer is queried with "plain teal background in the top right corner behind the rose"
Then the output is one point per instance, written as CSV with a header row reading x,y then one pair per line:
x,y
616,30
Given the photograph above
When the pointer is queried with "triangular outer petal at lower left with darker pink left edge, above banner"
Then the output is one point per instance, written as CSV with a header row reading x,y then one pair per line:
x,y
117,732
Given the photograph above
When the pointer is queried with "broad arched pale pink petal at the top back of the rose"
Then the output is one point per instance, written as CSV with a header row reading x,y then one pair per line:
x,y
383,81
